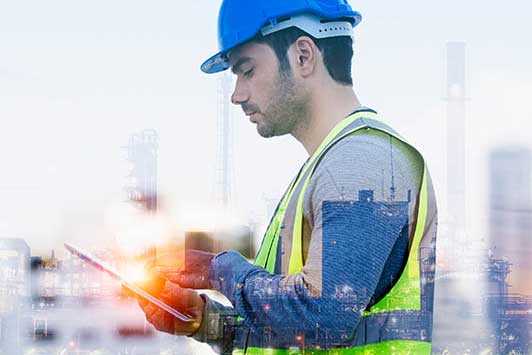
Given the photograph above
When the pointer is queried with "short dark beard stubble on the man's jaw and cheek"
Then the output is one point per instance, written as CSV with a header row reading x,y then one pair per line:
x,y
287,110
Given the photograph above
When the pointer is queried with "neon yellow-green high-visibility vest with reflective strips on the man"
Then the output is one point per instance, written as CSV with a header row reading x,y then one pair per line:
x,y
402,304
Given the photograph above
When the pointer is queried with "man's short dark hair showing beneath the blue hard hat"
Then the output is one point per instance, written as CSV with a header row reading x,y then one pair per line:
x,y
337,51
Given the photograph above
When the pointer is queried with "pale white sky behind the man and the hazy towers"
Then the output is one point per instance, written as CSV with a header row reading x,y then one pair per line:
x,y
78,77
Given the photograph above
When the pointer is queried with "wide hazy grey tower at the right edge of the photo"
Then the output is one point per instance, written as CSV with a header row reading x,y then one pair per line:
x,y
510,212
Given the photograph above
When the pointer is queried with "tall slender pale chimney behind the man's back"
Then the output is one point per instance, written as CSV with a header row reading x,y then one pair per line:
x,y
456,116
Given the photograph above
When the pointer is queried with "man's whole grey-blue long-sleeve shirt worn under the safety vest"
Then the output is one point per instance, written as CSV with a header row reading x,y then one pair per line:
x,y
358,216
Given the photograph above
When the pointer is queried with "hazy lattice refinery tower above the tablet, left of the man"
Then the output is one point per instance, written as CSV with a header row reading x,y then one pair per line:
x,y
142,180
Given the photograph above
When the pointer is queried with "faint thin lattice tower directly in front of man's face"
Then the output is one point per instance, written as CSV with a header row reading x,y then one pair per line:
x,y
225,138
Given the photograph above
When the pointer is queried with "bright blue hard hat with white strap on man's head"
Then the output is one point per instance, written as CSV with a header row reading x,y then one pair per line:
x,y
241,20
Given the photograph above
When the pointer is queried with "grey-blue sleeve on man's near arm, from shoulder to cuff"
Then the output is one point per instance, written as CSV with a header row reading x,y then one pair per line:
x,y
350,246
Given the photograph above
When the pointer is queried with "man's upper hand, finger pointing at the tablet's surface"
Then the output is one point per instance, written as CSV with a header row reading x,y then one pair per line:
x,y
196,273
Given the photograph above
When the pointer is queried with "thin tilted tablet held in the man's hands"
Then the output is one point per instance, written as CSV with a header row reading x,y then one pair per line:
x,y
103,266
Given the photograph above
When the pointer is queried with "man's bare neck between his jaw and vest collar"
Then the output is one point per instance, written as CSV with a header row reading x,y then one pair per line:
x,y
327,109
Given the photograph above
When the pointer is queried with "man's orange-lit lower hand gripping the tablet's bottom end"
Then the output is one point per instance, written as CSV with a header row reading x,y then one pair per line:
x,y
185,300
